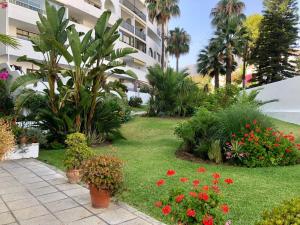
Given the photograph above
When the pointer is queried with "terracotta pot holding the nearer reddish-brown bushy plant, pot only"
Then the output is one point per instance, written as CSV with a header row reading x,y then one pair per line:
x,y
99,198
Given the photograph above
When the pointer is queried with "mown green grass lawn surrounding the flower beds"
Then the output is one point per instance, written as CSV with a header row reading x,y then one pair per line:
x,y
149,151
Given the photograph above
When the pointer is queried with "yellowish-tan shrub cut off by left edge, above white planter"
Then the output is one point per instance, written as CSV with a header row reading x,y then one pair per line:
x,y
6,139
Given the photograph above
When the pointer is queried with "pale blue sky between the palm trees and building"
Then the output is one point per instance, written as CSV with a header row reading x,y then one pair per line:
x,y
195,19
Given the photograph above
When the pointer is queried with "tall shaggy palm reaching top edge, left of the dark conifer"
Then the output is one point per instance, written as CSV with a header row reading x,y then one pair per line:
x,y
228,18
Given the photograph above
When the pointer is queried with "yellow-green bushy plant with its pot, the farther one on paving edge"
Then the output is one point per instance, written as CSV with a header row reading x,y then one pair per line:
x,y
76,152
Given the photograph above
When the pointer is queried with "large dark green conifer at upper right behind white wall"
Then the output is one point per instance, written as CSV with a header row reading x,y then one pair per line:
x,y
276,42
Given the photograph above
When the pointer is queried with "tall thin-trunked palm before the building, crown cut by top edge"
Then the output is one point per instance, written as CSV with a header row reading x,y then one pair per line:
x,y
162,11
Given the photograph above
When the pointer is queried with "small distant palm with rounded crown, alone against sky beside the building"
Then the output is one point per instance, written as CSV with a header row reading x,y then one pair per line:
x,y
178,44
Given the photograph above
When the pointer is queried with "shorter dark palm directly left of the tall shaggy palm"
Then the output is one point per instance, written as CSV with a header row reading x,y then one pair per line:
x,y
210,62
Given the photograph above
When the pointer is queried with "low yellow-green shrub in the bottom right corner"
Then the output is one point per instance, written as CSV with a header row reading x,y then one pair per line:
x,y
287,213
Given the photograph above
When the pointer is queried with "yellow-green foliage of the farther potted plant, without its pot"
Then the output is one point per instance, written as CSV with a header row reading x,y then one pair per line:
x,y
77,151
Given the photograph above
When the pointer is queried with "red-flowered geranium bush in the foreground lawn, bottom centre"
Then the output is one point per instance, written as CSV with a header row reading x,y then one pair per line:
x,y
194,202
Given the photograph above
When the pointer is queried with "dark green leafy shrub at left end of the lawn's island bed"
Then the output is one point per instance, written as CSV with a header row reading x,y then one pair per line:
x,y
199,132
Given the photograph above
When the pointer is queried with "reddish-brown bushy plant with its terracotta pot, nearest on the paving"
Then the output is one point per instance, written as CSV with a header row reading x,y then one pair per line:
x,y
104,176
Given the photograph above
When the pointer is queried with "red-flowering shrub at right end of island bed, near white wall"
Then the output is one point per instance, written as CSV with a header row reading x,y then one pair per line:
x,y
255,146
